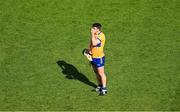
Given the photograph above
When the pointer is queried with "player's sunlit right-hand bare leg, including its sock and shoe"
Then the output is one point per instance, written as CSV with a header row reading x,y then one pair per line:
x,y
103,79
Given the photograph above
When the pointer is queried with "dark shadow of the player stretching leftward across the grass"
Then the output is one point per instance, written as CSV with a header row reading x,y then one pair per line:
x,y
72,72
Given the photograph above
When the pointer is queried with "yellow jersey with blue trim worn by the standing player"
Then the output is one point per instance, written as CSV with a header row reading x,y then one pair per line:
x,y
97,51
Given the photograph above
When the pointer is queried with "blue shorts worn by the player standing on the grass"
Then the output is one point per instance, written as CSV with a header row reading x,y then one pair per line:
x,y
98,62
